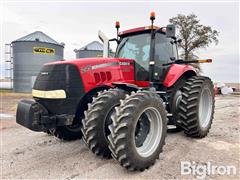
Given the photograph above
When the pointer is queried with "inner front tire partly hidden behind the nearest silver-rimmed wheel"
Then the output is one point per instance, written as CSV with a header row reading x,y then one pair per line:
x,y
97,118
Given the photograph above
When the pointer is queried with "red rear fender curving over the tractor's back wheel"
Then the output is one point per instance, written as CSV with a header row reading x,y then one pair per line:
x,y
176,71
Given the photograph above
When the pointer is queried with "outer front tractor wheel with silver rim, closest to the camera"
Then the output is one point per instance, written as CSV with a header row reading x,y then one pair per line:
x,y
138,130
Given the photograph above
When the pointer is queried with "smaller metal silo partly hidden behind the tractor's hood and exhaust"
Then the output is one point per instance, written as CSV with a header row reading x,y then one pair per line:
x,y
93,49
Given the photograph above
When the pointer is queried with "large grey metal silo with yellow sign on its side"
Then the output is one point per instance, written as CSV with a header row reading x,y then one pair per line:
x,y
29,54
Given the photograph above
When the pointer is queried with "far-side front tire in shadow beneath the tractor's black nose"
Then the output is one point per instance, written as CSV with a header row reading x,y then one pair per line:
x,y
67,133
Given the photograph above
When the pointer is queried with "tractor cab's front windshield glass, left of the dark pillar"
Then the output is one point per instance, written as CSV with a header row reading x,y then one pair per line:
x,y
135,47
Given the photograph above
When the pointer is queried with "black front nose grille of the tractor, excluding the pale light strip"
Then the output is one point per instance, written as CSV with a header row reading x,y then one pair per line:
x,y
60,76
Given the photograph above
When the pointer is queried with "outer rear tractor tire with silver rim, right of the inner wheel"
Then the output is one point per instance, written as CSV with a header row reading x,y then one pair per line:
x,y
196,108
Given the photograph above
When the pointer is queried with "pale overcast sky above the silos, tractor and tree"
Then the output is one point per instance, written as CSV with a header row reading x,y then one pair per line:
x,y
76,24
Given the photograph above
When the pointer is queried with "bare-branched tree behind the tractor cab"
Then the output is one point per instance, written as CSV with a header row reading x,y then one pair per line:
x,y
193,34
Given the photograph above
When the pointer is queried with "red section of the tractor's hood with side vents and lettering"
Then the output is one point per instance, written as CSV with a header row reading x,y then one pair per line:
x,y
96,72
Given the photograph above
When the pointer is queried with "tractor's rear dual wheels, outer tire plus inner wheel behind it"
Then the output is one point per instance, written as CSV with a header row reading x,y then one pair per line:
x,y
191,102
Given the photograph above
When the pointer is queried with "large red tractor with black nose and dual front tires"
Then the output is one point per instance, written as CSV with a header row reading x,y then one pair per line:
x,y
122,106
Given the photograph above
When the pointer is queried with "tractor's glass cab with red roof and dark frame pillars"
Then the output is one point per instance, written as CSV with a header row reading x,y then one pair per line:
x,y
145,45
